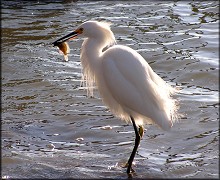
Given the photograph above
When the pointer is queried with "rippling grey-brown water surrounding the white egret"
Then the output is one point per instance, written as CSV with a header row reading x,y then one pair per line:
x,y
51,129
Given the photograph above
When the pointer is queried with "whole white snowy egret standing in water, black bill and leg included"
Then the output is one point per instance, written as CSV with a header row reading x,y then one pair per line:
x,y
125,81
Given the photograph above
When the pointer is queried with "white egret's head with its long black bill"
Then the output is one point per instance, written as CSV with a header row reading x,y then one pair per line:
x,y
90,29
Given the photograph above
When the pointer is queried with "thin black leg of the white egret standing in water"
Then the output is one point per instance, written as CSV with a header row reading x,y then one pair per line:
x,y
138,133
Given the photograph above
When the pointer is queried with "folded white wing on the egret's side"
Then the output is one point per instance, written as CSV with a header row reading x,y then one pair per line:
x,y
133,84
